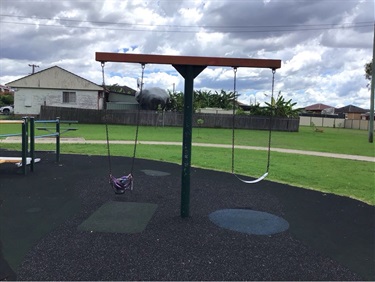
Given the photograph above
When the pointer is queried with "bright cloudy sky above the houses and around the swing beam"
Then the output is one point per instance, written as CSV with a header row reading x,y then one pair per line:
x,y
323,44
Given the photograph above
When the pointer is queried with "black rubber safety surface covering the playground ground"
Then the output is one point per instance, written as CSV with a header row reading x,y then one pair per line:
x,y
42,238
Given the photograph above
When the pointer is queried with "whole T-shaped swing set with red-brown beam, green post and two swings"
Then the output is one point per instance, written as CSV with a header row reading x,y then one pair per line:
x,y
189,68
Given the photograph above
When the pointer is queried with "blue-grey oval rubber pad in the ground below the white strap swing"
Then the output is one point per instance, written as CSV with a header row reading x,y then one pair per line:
x,y
249,221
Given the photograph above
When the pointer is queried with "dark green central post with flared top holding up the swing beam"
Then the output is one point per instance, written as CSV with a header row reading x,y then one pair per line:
x,y
189,73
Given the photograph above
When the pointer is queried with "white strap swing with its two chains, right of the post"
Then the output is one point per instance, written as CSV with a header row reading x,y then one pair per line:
x,y
269,134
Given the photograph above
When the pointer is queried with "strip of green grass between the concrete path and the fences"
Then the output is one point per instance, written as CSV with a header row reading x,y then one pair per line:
x,y
333,140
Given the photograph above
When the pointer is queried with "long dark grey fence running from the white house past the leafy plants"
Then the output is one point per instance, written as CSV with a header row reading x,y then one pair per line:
x,y
152,118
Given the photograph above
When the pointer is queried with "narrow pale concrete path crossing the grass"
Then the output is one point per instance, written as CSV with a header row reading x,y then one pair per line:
x,y
280,150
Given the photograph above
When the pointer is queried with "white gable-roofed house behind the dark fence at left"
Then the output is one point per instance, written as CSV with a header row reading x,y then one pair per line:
x,y
56,87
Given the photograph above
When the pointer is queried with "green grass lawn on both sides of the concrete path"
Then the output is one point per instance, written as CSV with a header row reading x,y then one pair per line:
x,y
343,177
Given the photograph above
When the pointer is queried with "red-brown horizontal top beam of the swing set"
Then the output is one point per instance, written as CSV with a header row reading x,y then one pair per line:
x,y
187,60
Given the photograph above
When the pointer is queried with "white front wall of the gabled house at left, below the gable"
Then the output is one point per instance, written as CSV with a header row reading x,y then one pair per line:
x,y
28,101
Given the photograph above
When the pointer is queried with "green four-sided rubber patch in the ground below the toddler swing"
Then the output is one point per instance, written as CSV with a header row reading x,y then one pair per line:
x,y
119,217
